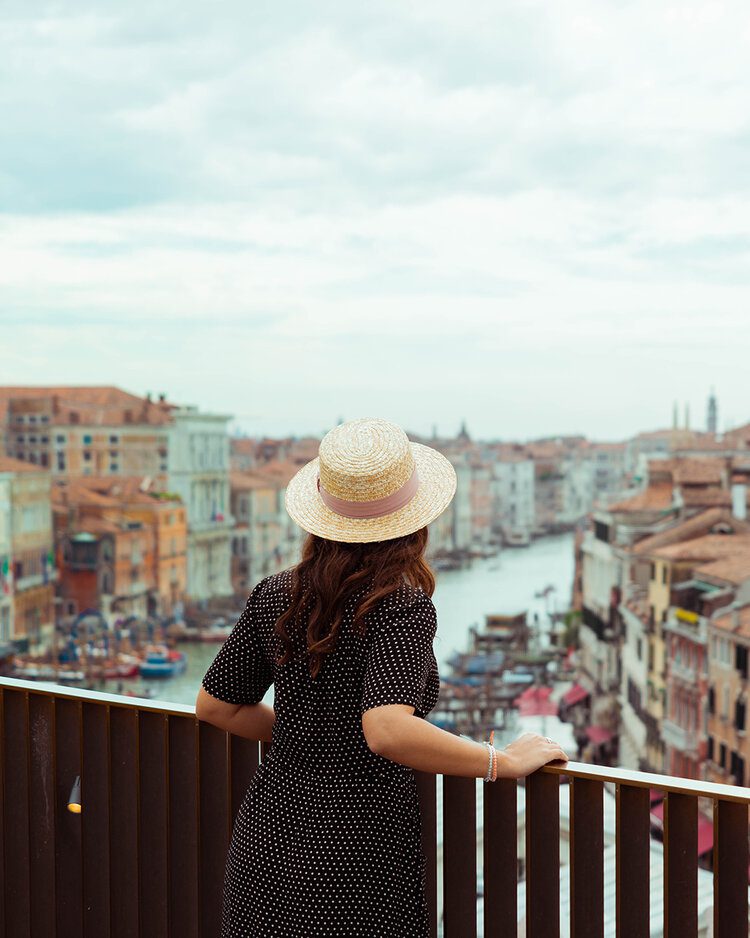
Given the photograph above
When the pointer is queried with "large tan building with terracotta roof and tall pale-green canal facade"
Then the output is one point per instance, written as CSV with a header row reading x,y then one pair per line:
x,y
104,431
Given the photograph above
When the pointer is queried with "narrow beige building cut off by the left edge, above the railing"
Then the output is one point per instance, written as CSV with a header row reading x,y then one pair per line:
x,y
27,562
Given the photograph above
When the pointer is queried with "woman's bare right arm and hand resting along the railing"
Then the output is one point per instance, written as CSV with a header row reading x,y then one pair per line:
x,y
394,732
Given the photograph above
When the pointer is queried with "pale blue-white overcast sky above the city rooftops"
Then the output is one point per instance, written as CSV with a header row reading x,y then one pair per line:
x,y
532,215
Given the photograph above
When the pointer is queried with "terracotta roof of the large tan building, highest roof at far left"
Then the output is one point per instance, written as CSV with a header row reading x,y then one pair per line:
x,y
94,406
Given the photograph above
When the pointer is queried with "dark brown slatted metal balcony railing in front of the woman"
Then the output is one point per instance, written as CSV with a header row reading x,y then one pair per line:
x,y
160,790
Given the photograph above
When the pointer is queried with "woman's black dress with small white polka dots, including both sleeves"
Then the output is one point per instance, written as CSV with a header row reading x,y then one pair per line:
x,y
327,840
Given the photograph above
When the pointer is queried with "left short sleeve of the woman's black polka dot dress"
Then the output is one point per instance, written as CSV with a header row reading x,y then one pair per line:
x,y
241,672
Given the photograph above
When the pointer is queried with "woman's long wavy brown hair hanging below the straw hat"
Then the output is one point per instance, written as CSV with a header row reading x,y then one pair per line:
x,y
330,572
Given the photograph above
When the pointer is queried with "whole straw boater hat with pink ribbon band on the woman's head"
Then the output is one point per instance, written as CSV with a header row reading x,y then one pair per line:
x,y
370,483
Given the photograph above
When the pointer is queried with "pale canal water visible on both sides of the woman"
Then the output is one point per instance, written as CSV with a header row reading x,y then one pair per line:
x,y
505,583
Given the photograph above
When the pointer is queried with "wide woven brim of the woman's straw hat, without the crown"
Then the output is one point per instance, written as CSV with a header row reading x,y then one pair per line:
x,y
437,486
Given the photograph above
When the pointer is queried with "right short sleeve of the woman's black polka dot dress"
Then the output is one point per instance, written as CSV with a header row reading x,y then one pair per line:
x,y
400,656
